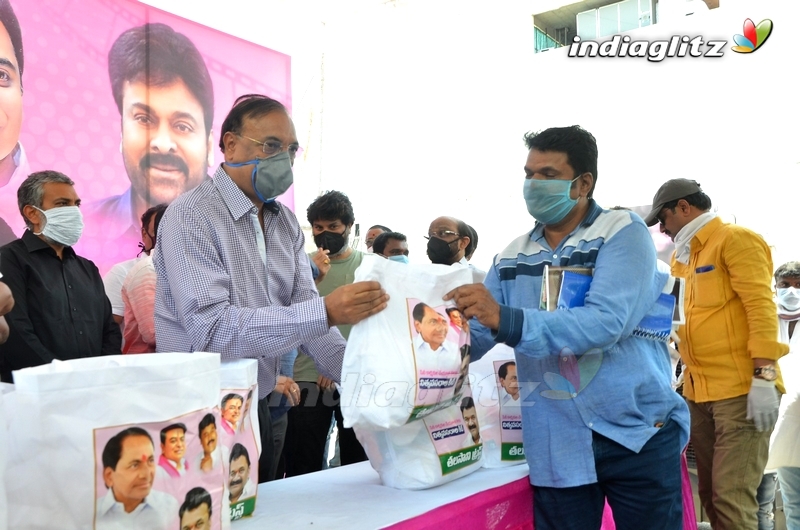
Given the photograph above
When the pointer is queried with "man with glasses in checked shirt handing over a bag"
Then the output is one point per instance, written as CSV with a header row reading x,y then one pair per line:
x,y
233,276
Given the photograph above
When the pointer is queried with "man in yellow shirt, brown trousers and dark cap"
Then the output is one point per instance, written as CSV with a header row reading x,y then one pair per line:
x,y
729,345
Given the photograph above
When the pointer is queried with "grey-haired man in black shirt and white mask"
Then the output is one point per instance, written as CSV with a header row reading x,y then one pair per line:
x,y
61,309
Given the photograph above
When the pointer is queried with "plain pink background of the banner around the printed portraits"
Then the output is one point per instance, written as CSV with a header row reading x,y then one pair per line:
x,y
70,120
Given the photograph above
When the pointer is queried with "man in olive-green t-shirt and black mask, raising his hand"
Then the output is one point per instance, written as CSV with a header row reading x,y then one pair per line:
x,y
331,218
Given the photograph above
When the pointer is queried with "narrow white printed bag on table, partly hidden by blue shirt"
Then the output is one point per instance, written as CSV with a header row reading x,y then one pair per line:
x,y
498,399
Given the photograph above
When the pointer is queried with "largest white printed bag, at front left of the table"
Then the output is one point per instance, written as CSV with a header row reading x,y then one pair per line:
x,y
110,442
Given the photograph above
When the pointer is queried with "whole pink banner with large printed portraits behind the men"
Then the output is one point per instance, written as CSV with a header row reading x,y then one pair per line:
x,y
129,112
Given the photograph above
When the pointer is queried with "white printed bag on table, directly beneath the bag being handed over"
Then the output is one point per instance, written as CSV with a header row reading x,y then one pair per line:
x,y
442,447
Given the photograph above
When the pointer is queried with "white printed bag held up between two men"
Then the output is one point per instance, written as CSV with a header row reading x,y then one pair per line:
x,y
412,358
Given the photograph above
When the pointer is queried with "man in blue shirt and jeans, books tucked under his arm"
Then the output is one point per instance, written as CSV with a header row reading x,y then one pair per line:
x,y
600,419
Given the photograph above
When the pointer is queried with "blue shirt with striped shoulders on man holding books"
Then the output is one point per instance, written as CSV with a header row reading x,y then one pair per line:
x,y
580,370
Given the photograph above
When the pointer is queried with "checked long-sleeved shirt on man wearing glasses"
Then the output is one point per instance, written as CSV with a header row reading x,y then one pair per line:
x,y
224,287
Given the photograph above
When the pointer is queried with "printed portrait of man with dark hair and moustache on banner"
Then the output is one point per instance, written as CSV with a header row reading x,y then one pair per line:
x,y
165,98
